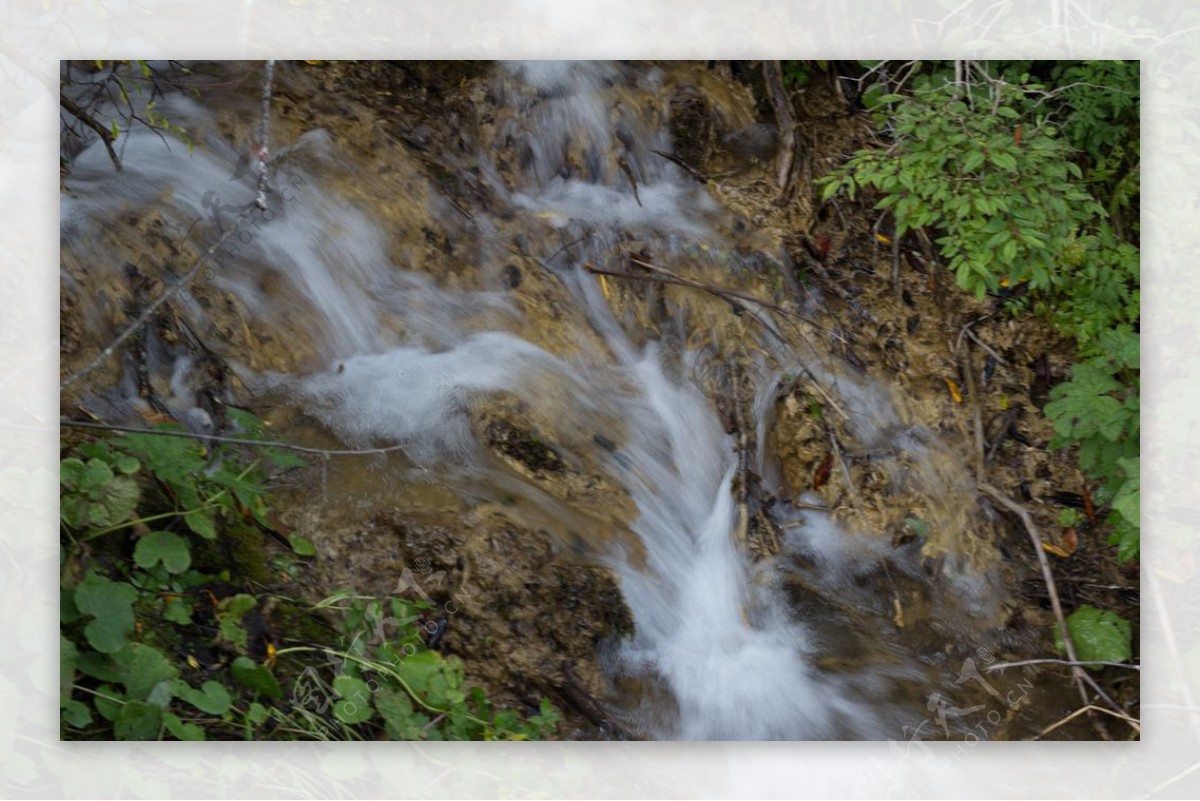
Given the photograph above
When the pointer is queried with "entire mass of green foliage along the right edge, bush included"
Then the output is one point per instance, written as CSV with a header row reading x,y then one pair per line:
x,y
1000,167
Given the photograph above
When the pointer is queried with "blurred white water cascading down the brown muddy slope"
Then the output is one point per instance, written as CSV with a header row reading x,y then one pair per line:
x,y
388,354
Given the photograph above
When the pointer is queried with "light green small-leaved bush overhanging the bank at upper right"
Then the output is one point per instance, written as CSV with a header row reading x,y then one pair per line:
x,y
998,184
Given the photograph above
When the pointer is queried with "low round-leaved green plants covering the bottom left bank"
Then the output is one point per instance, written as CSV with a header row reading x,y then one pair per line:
x,y
137,603
